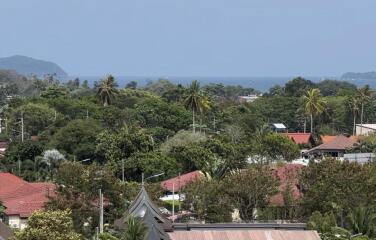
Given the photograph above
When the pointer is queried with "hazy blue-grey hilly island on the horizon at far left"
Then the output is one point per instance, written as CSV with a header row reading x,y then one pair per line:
x,y
30,66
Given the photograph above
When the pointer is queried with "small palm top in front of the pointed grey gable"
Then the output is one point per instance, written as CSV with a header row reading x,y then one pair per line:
x,y
136,229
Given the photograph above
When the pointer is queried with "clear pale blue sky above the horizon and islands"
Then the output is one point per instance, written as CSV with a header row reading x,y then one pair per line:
x,y
193,37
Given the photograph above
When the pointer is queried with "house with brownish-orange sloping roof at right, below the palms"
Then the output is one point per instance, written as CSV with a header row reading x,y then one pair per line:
x,y
336,147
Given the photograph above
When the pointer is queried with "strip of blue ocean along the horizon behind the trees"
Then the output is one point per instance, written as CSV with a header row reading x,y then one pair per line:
x,y
259,83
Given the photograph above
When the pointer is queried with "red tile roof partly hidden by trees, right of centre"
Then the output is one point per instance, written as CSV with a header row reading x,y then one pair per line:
x,y
288,177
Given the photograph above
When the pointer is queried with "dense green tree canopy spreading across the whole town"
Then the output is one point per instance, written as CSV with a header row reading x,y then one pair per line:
x,y
103,137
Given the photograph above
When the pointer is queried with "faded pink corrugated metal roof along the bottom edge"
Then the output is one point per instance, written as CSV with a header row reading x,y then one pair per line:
x,y
245,235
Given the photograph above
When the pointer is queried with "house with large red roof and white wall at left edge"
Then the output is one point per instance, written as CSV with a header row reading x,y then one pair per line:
x,y
22,198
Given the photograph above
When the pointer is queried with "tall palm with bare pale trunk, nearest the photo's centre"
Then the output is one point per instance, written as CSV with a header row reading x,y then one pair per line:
x,y
194,100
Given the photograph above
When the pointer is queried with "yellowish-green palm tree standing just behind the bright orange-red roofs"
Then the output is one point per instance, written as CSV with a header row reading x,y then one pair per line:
x,y
314,104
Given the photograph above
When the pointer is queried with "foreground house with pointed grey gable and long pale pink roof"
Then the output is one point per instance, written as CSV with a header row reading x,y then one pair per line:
x,y
161,228
